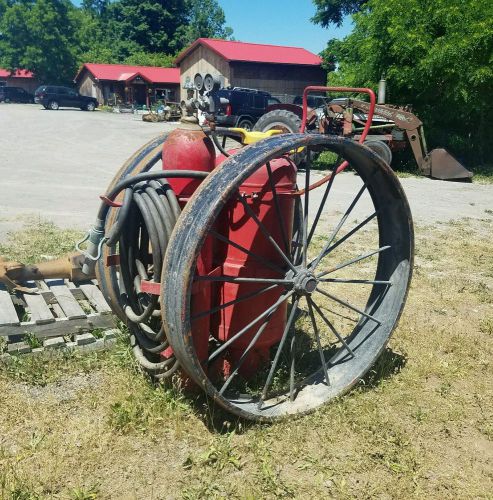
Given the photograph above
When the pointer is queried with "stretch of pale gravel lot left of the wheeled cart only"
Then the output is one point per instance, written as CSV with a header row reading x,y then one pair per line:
x,y
55,164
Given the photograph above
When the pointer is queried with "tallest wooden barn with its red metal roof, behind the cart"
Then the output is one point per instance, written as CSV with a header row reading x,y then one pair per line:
x,y
282,71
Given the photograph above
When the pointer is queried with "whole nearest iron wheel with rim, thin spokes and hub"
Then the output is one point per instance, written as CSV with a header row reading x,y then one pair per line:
x,y
336,271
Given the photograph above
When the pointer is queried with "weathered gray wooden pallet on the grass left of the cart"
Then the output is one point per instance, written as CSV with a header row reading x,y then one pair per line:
x,y
59,308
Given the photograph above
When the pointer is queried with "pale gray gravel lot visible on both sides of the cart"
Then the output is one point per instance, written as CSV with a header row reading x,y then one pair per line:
x,y
54,164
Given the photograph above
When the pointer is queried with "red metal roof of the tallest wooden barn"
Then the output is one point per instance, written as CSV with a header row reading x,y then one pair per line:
x,y
255,52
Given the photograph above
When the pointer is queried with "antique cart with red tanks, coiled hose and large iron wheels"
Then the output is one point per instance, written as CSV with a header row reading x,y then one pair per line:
x,y
271,288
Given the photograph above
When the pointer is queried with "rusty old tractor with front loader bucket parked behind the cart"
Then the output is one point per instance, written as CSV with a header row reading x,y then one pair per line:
x,y
393,128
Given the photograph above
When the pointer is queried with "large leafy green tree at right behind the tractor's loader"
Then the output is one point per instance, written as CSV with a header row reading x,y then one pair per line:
x,y
436,55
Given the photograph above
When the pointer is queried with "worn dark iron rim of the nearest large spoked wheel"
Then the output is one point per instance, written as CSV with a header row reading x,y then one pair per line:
x,y
369,337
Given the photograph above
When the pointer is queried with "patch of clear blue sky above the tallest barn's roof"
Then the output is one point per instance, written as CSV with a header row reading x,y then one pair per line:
x,y
279,22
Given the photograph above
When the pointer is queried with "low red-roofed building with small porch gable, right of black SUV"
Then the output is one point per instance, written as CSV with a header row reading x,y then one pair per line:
x,y
119,83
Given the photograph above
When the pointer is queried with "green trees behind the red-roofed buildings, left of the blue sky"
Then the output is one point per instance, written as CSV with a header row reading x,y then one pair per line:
x,y
53,37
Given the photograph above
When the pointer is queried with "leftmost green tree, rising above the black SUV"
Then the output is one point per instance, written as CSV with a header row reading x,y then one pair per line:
x,y
39,36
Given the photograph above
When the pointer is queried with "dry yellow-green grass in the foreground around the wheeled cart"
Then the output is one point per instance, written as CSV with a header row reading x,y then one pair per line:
x,y
418,426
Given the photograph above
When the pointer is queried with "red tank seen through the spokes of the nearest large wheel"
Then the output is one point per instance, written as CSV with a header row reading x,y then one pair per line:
x,y
237,225
